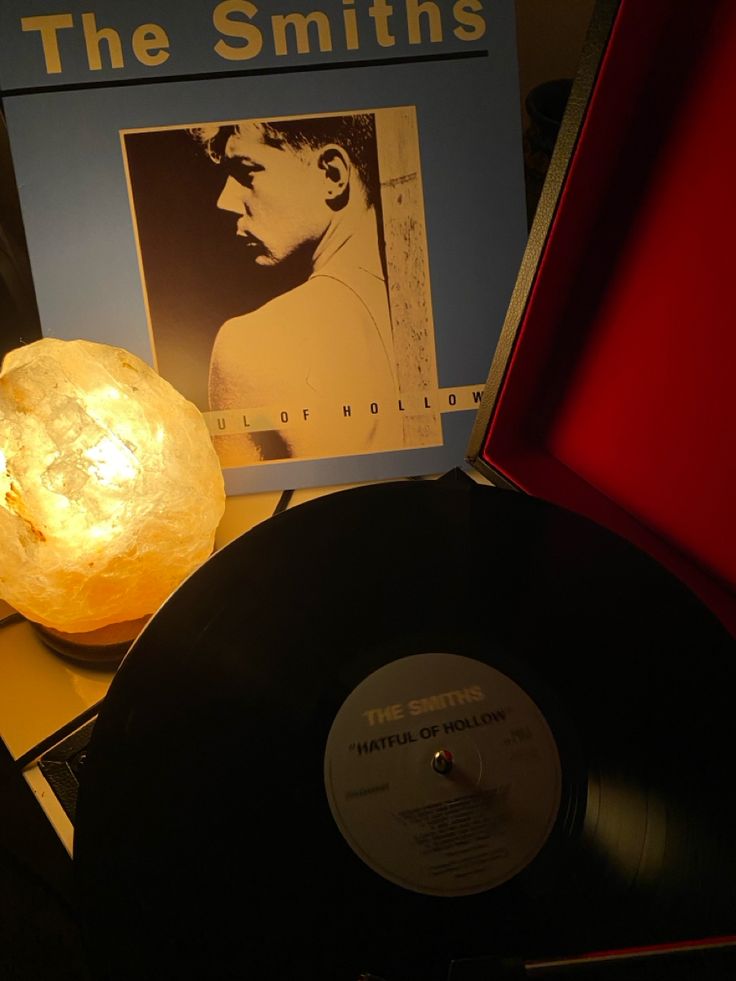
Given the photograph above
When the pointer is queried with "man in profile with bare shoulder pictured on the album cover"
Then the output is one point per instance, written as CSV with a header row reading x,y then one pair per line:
x,y
308,187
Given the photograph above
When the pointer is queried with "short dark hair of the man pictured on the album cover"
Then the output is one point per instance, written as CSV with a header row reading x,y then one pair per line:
x,y
356,134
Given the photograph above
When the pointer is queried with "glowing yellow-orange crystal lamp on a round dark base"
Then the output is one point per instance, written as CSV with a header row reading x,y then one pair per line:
x,y
110,493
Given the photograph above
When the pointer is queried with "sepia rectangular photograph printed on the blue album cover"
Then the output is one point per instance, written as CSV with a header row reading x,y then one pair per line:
x,y
325,225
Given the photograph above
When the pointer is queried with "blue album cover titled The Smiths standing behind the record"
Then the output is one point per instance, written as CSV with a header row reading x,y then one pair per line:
x,y
307,217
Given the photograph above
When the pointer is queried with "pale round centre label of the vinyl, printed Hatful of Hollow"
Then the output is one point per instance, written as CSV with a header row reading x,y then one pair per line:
x,y
442,774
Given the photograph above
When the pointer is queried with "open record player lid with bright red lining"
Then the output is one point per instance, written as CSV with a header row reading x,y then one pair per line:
x,y
612,389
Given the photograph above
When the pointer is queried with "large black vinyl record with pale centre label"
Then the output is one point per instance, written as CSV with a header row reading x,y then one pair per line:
x,y
405,724
